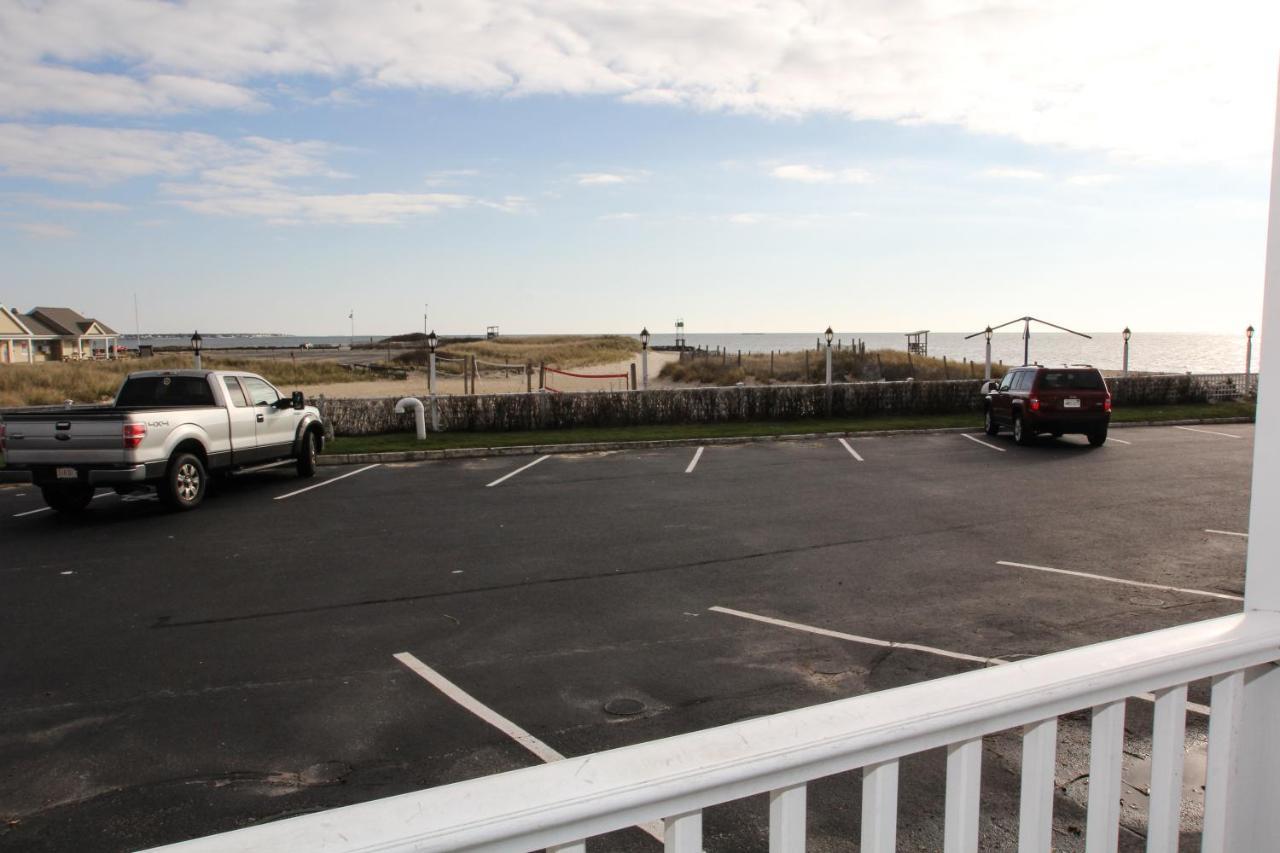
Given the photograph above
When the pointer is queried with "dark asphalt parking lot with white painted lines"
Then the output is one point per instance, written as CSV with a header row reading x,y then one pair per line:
x,y
176,676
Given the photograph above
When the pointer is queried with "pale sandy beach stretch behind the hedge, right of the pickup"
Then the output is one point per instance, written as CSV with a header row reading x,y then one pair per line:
x,y
493,382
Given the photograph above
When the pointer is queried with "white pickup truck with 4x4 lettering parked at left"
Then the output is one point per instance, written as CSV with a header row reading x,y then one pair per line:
x,y
170,431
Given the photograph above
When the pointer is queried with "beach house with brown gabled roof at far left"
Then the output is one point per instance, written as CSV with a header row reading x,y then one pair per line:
x,y
53,335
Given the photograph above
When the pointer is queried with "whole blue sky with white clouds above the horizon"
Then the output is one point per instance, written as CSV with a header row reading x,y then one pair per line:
x,y
587,166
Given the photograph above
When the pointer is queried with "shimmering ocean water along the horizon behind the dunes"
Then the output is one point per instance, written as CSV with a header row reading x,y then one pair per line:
x,y
1153,352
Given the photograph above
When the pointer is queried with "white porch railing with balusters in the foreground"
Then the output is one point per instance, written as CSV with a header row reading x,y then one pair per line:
x,y
559,806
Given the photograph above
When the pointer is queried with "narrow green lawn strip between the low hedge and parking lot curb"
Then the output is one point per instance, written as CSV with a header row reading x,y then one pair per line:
x,y
970,421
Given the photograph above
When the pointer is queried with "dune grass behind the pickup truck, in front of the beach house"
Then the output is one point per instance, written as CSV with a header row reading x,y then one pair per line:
x,y
86,382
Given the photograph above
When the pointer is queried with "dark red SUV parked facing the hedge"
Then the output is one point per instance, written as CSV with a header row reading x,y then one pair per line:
x,y
1050,400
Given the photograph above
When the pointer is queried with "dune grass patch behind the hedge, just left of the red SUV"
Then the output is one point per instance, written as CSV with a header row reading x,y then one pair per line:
x,y
793,367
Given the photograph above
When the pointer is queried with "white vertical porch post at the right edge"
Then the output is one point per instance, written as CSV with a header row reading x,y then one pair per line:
x,y
1254,819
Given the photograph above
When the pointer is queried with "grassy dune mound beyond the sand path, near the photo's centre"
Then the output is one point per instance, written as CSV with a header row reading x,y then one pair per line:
x,y
554,350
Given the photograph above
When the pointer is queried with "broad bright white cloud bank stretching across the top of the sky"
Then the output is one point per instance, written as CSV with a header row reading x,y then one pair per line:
x,y
1145,80
